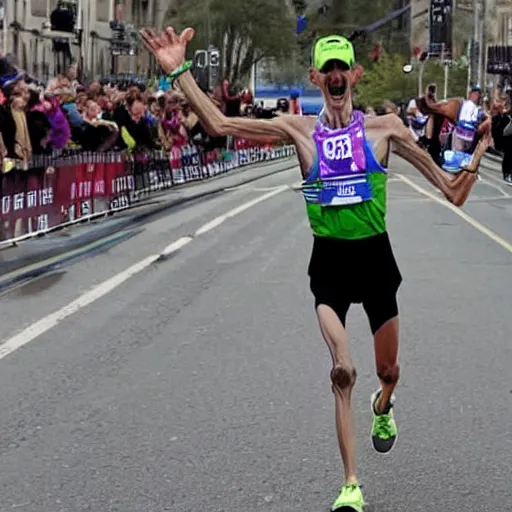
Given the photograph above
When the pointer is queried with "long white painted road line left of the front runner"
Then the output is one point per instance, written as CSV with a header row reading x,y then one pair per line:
x,y
46,323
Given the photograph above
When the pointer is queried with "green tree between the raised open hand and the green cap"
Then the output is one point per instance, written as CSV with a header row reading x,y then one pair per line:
x,y
244,31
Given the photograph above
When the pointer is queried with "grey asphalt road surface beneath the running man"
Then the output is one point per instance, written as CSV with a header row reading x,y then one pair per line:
x,y
202,383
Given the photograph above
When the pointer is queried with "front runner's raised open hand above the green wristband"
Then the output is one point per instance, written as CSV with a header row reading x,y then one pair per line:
x,y
168,48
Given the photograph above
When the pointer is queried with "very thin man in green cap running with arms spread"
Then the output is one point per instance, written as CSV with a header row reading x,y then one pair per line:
x,y
343,157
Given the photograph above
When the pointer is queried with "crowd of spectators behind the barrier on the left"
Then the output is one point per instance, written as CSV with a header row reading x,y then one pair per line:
x,y
112,114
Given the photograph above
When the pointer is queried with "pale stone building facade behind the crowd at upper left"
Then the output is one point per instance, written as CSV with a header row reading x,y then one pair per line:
x,y
26,34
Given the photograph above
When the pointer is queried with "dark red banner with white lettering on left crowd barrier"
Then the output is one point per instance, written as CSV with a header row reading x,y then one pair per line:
x,y
74,186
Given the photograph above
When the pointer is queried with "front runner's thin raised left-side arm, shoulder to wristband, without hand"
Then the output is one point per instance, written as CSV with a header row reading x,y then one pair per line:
x,y
218,125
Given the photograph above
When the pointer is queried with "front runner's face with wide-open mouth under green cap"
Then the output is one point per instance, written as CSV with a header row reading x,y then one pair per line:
x,y
334,82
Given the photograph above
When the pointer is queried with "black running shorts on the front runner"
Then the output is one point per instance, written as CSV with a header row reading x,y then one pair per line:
x,y
345,272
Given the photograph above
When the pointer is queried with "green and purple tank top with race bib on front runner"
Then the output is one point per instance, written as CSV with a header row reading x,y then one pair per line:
x,y
345,192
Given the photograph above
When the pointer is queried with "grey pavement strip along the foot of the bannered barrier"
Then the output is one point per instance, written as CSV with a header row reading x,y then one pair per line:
x,y
35,256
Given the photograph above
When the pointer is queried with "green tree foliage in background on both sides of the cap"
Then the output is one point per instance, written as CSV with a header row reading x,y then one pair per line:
x,y
249,31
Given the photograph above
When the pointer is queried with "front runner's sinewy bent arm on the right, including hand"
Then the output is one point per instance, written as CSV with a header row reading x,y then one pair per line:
x,y
455,188
